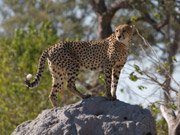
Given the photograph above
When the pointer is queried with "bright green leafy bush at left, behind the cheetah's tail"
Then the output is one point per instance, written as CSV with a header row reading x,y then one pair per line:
x,y
19,57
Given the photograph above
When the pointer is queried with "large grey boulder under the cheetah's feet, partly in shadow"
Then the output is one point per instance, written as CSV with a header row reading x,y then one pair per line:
x,y
92,116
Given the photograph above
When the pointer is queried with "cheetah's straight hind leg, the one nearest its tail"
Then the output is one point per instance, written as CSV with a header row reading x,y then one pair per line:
x,y
58,78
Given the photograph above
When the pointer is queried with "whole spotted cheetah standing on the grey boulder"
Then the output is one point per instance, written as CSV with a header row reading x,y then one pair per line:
x,y
66,58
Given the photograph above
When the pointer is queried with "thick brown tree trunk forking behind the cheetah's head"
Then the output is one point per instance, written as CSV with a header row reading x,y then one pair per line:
x,y
105,15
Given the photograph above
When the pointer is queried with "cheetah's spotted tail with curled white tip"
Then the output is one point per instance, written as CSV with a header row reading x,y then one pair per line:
x,y
40,70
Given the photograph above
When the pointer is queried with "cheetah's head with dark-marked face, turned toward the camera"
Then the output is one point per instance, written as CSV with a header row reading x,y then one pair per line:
x,y
124,33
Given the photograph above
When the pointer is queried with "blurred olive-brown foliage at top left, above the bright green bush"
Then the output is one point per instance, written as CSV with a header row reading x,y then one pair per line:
x,y
67,15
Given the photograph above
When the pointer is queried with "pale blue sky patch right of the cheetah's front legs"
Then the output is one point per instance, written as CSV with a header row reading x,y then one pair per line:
x,y
151,93
